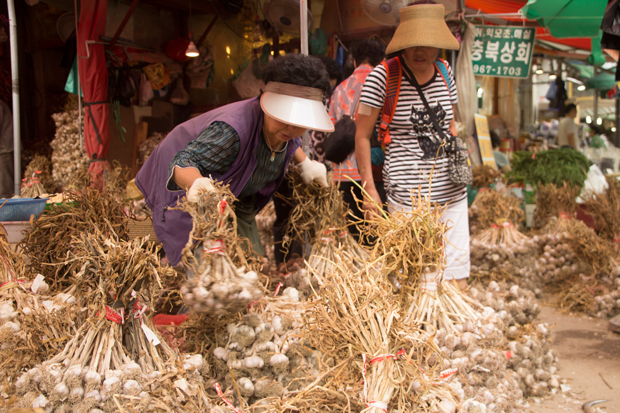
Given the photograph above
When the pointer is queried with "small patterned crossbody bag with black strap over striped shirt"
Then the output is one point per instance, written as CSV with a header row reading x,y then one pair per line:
x,y
459,170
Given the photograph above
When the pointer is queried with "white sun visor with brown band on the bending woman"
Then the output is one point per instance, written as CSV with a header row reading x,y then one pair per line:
x,y
296,105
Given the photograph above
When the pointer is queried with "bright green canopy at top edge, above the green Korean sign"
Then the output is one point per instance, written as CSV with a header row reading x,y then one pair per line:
x,y
567,18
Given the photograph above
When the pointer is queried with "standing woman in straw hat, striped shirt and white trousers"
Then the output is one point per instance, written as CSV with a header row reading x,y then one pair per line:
x,y
414,154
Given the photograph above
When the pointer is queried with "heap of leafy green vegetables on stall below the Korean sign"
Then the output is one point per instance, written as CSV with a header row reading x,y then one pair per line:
x,y
550,167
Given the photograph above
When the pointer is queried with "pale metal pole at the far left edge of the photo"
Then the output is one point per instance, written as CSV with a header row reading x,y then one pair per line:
x,y
17,144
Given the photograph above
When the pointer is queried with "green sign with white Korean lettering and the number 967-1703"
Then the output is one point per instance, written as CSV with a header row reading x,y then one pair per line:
x,y
503,51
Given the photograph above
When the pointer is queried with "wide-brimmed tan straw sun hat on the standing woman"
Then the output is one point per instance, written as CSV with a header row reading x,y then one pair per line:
x,y
422,25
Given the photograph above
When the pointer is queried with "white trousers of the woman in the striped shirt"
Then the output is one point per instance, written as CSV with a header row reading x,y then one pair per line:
x,y
456,240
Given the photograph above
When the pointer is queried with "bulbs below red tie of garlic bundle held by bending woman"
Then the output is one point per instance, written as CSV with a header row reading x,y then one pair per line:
x,y
220,287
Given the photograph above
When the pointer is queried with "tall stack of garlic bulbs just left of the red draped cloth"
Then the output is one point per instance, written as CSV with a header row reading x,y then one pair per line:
x,y
67,156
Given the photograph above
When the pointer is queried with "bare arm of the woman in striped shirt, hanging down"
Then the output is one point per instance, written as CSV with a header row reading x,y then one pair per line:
x,y
365,125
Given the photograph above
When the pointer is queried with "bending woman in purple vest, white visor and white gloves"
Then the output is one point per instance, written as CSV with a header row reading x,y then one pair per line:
x,y
246,144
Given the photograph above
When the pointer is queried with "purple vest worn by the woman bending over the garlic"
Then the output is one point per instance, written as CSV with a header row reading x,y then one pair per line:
x,y
173,226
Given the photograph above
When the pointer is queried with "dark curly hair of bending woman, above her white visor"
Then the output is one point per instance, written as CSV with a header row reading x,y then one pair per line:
x,y
298,70
